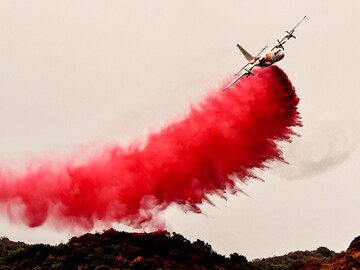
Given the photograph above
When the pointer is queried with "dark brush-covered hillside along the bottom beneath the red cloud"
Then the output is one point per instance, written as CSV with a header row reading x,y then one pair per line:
x,y
159,250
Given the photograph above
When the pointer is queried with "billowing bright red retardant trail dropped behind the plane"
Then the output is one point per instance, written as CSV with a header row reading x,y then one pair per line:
x,y
218,144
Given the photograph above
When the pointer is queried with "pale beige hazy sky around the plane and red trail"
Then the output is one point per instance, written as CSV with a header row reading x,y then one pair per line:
x,y
74,73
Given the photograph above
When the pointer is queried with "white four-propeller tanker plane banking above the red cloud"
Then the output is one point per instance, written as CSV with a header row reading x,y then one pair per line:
x,y
265,57
